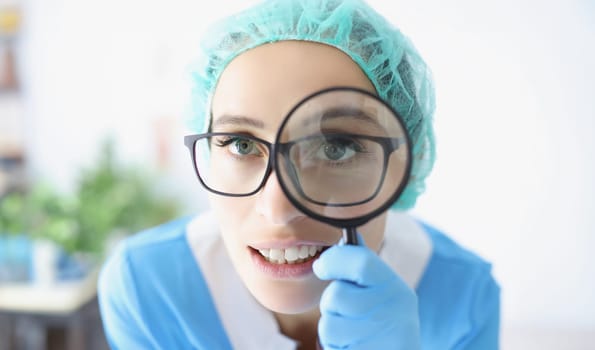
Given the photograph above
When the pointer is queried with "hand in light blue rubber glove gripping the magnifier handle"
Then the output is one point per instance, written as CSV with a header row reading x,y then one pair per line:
x,y
367,306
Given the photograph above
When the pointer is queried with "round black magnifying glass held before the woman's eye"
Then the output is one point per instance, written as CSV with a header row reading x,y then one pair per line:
x,y
342,156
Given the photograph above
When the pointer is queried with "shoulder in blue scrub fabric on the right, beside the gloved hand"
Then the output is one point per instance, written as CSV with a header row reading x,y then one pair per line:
x,y
458,295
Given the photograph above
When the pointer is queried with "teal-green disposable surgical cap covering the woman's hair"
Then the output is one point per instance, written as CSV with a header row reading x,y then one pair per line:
x,y
386,56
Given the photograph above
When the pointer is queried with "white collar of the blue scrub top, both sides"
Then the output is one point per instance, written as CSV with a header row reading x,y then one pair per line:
x,y
407,249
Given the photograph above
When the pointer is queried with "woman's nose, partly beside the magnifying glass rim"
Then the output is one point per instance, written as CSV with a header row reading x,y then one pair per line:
x,y
272,203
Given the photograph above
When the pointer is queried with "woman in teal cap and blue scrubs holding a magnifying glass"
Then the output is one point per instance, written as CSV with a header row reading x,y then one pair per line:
x,y
257,273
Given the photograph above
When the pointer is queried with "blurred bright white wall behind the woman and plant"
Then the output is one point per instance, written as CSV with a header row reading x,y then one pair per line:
x,y
515,114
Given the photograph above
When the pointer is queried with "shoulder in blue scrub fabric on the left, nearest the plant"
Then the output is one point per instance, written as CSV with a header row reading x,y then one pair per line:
x,y
152,289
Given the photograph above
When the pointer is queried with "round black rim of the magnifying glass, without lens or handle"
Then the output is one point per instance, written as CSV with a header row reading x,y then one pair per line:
x,y
356,221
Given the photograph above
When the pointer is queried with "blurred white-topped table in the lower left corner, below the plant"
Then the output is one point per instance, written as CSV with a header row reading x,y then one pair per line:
x,y
54,316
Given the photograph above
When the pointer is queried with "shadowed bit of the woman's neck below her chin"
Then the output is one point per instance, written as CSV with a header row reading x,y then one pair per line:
x,y
300,327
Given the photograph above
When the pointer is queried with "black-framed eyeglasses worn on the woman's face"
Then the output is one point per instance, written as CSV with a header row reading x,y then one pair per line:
x,y
319,165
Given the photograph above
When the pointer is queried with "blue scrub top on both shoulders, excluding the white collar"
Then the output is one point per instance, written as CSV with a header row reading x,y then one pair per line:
x,y
153,295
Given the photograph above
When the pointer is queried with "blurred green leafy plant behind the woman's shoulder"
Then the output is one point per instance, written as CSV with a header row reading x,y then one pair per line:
x,y
109,198
